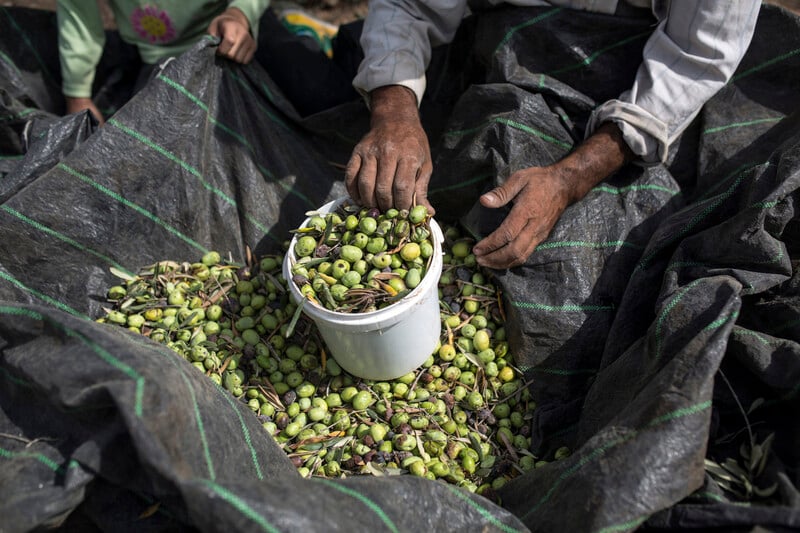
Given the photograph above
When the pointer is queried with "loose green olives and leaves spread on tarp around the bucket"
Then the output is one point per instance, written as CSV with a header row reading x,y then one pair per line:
x,y
463,417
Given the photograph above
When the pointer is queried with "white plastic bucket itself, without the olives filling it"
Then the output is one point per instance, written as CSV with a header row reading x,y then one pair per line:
x,y
387,343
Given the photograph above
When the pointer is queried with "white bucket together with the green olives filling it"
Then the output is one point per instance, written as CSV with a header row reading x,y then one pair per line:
x,y
369,281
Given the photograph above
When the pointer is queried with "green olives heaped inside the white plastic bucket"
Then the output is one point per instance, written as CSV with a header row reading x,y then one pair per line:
x,y
357,259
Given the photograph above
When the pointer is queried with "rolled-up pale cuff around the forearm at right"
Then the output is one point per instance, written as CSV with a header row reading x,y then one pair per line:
x,y
645,134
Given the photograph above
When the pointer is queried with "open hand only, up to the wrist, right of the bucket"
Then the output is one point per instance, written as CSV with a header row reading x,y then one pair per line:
x,y
539,196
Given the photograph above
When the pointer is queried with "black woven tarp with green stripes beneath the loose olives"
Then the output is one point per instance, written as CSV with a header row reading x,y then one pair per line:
x,y
663,307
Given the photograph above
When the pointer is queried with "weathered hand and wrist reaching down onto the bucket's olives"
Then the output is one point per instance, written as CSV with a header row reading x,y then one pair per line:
x,y
391,166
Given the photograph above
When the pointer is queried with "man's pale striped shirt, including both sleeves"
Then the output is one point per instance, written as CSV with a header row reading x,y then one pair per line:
x,y
692,53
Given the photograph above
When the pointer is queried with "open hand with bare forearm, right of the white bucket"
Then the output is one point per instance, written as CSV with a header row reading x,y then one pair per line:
x,y
541,194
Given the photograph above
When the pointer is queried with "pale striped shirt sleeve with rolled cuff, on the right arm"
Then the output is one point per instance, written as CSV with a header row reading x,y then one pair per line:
x,y
691,55
